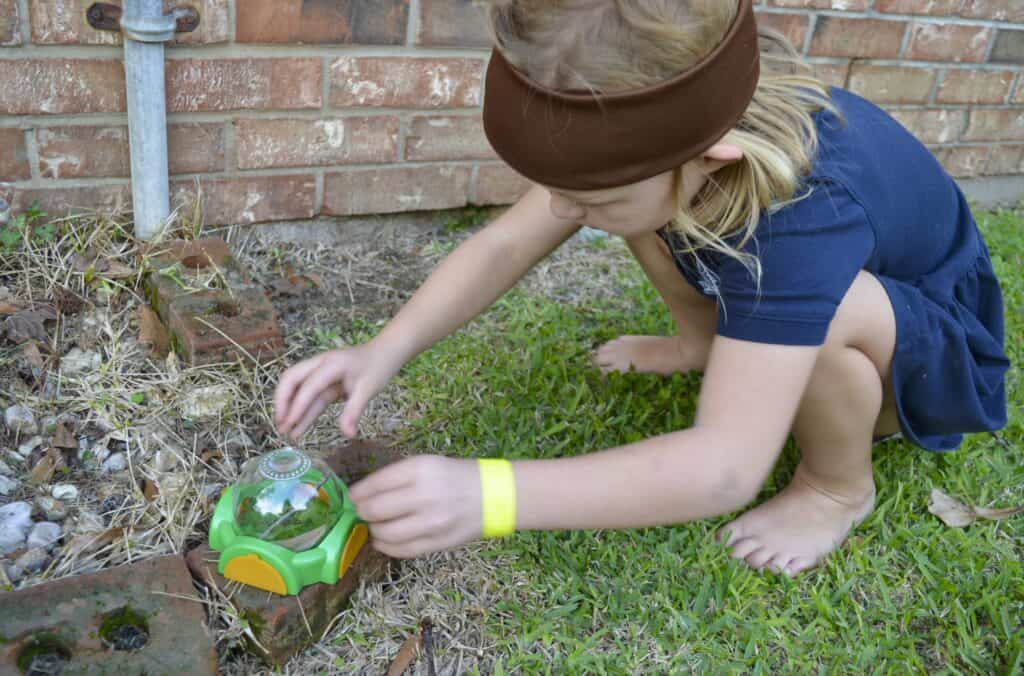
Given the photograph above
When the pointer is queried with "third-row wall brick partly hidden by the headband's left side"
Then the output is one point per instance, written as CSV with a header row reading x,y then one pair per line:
x,y
449,138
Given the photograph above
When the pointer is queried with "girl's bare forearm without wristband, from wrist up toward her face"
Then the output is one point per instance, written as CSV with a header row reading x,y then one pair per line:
x,y
477,274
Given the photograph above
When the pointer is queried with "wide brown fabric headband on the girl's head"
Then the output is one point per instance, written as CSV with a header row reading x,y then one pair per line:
x,y
583,142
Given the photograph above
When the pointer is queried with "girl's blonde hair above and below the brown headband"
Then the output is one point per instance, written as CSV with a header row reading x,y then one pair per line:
x,y
613,46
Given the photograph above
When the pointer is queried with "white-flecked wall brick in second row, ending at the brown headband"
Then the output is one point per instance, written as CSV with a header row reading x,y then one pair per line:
x,y
404,82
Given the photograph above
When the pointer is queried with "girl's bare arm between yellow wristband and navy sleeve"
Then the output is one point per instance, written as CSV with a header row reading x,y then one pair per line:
x,y
749,401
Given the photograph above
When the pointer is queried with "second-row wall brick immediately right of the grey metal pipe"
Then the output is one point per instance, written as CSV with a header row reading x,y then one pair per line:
x,y
233,84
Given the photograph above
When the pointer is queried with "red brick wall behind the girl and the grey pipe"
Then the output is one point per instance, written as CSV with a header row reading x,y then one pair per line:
x,y
292,110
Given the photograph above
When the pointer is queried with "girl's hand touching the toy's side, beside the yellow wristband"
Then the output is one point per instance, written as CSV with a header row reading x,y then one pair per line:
x,y
421,505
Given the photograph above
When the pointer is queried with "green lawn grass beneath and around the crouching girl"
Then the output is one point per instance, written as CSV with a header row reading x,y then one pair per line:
x,y
905,595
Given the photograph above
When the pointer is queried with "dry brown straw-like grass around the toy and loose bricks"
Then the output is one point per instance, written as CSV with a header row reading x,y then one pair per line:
x,y
134,403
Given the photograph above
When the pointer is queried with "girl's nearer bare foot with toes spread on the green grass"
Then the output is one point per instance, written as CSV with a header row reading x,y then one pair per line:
x,y
798,528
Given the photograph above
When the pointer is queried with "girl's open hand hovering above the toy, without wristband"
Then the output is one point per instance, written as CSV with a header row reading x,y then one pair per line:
x,y
354,374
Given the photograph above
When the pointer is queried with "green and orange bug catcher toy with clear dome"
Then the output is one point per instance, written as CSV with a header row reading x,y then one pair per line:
x,y
286,524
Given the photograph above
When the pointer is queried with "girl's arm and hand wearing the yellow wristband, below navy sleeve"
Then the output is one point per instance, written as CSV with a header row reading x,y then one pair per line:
x,y
749,401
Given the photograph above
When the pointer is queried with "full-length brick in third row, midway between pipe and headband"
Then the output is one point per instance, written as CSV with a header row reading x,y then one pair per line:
x,y
263,144
